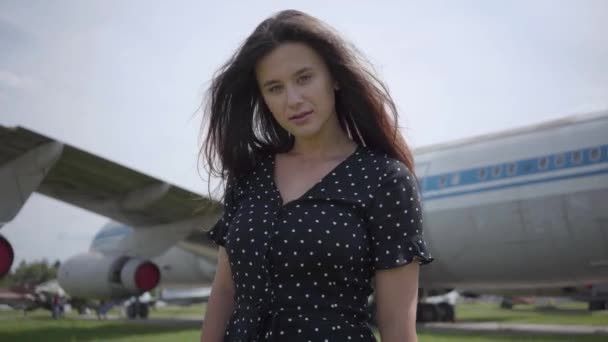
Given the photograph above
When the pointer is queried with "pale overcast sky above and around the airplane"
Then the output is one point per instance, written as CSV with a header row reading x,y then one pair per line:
x,y
124,79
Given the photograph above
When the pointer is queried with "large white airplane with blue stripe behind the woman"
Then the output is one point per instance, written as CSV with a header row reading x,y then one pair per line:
x,y
518,211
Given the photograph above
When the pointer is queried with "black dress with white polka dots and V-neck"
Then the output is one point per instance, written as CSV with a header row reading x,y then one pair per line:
x,y
302,270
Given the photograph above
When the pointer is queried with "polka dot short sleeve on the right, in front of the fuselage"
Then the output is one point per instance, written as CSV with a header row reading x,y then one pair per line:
x,y
395,220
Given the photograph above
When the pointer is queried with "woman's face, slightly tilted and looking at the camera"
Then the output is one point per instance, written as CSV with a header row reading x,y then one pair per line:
x,y
298,89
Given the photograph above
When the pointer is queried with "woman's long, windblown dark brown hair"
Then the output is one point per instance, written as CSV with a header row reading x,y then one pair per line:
x,y
240,127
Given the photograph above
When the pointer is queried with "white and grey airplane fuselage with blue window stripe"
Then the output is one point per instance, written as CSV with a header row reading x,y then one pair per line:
x,y
521,210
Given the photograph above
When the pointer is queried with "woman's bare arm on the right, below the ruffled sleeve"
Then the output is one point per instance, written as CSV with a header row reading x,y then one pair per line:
x,y
397,300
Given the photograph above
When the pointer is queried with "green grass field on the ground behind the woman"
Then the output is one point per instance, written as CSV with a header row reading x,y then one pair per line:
x,y
39,327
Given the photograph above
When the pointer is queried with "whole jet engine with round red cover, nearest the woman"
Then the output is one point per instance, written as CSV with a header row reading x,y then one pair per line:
x,y
94,275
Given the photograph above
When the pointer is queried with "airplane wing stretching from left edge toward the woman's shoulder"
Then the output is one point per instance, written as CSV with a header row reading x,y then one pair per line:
x,y
104,187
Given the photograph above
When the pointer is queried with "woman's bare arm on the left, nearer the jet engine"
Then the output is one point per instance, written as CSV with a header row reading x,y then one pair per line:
x,y
221,301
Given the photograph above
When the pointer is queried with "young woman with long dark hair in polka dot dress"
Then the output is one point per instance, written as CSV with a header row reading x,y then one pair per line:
x,y
320,195
